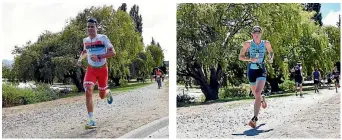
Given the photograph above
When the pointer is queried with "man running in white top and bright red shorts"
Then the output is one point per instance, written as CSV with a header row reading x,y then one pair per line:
x,y
97,48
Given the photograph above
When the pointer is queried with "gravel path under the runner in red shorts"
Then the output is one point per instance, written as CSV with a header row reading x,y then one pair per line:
x,y
65,118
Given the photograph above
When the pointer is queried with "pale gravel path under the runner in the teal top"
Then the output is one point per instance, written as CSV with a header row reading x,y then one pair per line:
x,y
317,115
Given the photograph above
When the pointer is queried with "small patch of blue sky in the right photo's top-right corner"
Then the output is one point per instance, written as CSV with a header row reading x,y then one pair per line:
x,y
330,12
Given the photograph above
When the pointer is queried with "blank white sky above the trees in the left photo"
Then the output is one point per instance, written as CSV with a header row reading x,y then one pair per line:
x,y
26,21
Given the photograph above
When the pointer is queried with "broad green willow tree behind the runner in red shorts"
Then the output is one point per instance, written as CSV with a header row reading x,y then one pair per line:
x,y
54,55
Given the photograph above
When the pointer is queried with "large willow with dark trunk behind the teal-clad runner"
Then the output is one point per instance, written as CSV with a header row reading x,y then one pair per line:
x,y
210,36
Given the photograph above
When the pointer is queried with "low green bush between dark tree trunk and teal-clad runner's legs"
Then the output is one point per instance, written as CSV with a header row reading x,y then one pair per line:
x,y
233,92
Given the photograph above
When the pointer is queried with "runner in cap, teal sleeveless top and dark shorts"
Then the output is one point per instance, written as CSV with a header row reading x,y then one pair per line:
x,y
256,70
